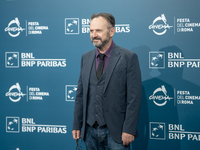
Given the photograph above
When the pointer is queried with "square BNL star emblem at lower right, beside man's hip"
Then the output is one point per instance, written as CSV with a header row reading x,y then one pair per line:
x,y
157,130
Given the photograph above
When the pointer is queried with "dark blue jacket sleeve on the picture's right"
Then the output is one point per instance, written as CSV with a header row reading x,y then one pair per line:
x,y
134,95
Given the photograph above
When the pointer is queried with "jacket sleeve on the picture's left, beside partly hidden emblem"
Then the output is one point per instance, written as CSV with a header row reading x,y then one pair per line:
x,y
78,108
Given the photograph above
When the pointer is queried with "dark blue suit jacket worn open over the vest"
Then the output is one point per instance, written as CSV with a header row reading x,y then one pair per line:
x,y
122,93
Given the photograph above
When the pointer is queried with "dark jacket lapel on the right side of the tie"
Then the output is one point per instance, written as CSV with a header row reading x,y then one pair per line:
x,y
115,55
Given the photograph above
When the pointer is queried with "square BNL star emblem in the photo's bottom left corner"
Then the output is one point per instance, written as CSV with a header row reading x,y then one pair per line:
x,y
12,124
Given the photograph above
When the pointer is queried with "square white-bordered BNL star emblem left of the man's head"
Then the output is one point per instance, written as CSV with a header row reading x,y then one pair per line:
x,y
71,25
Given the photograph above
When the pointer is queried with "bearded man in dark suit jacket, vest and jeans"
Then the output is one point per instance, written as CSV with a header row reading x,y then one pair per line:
x,y
109,91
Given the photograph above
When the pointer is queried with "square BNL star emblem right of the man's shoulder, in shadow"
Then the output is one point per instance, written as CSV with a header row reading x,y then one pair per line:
x,y
157,60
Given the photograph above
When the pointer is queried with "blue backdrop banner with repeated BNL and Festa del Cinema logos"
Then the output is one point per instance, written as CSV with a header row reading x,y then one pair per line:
x,y
41,44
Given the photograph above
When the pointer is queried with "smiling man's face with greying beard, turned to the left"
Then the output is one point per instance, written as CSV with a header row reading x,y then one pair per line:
x,y
99,32
